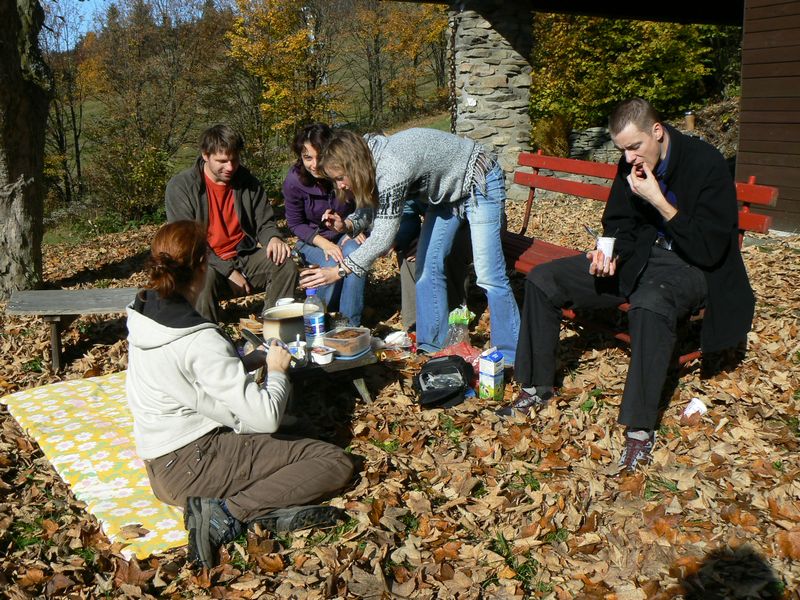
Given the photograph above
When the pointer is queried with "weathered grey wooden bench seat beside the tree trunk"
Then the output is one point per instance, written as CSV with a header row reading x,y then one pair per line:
x,y
70,302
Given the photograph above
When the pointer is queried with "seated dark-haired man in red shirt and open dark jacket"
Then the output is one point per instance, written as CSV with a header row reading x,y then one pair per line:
x,y
248,253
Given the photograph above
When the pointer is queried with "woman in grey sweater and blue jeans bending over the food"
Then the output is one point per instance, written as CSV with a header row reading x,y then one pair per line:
x,y
458,179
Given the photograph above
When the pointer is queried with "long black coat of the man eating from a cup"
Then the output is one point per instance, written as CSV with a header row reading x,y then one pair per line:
x,y
705,234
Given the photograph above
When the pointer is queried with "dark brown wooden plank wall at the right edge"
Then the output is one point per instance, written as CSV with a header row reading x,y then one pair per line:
x,y
769,128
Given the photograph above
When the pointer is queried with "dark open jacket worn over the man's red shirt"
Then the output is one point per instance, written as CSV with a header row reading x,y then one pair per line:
x,y
186,199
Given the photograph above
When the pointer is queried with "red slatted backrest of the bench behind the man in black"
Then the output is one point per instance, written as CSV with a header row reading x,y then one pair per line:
x,y
748,193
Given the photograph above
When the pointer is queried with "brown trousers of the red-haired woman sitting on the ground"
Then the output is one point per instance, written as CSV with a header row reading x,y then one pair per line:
x,y
254,473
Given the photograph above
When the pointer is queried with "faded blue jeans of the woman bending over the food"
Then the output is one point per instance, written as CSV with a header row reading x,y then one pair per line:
x,y
485,215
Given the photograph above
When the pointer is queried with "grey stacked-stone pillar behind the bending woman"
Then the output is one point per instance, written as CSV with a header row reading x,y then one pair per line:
x,y
492,80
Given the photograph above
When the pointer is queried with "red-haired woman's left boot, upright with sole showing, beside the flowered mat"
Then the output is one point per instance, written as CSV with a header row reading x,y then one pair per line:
x,y
209,525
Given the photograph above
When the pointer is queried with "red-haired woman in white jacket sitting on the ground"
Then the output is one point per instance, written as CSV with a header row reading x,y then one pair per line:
x,y
205,429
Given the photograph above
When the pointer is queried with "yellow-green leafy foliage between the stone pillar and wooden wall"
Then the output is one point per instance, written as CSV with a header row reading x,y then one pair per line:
x,y
583,66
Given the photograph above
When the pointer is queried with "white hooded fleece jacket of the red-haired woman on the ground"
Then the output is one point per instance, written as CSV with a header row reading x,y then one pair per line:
x,y
185,381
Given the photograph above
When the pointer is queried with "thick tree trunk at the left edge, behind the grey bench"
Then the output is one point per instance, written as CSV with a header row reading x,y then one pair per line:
x,y
23,121
